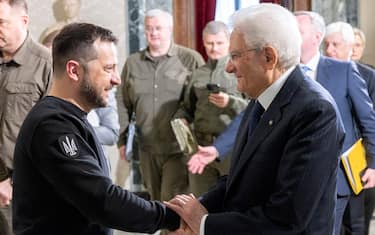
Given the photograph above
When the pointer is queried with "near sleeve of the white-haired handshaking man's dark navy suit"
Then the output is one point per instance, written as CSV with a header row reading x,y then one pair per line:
x,y
313,142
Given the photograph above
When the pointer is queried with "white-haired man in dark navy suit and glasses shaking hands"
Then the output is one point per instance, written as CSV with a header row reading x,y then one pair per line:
x,y
282,178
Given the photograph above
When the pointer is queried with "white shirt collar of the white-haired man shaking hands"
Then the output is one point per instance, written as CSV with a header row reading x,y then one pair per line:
x,y
267,96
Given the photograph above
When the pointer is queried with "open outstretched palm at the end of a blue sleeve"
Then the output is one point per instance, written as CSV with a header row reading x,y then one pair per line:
x,y
202,158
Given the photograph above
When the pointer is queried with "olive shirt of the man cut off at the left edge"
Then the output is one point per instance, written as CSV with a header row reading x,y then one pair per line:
x,y
24,80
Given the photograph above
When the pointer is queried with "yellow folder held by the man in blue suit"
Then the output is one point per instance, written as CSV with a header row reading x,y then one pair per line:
x,y
354,162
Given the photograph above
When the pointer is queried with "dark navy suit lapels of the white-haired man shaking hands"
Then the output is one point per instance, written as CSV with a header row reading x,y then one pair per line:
x,y
245,150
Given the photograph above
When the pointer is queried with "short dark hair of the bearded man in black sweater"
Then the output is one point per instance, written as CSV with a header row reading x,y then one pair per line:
x,y
75,42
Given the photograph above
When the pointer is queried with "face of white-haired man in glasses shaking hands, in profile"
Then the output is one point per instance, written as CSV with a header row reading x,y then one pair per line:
x,y
247,65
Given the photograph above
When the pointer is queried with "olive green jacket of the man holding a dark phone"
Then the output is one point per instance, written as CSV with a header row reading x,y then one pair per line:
x,y
206,117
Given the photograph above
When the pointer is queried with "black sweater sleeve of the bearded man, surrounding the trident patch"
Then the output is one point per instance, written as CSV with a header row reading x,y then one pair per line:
x,y
81,182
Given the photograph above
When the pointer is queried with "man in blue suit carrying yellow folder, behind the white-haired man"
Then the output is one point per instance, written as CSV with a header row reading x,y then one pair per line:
x,y
343,81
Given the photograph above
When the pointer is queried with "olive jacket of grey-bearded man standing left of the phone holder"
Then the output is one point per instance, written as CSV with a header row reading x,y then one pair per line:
x,y
152,88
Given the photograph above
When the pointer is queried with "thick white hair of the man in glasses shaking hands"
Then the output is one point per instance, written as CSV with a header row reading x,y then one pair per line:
x,y
270,25
